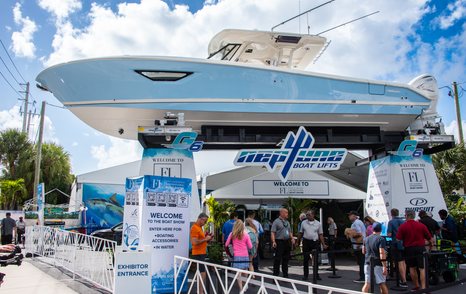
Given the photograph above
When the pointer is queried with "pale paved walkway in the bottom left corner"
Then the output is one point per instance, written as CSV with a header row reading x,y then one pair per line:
x,y
29,279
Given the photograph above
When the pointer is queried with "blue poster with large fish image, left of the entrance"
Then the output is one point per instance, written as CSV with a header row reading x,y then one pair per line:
x,y
104,204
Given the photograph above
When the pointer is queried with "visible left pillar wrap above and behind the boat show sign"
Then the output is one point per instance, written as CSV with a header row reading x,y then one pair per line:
x,y
176,163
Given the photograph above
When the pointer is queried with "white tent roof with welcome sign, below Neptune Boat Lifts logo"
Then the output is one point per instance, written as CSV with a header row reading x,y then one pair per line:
x,y
301,184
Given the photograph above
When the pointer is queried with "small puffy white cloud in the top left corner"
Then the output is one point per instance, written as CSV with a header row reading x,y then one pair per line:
x,y
22,41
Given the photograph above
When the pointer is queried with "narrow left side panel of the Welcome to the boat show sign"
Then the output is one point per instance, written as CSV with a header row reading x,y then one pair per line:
x,y
132,213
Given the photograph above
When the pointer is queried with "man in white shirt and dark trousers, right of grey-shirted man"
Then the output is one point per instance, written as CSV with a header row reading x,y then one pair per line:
x,y
312,235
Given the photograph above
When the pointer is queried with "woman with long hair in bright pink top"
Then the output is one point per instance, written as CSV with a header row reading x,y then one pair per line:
x,y
241,242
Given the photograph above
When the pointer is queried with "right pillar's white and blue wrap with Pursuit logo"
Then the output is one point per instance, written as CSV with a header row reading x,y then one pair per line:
x,y
403,182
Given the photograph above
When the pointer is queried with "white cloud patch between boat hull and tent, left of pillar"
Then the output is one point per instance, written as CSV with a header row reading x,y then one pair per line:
x,y
121,151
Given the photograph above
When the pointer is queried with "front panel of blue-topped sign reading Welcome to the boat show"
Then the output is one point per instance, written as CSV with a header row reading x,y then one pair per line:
x,y
165,226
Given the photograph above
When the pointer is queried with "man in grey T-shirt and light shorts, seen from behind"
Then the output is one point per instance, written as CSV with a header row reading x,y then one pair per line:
x,y
375,248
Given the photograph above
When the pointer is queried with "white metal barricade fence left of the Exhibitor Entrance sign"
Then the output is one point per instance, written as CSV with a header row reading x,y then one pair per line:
x,y
88,257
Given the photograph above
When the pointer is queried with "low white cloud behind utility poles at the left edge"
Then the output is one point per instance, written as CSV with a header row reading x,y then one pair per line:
x,y
12,119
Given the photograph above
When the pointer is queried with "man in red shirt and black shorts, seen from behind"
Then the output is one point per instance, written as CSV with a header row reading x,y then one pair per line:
x,y
414,235
